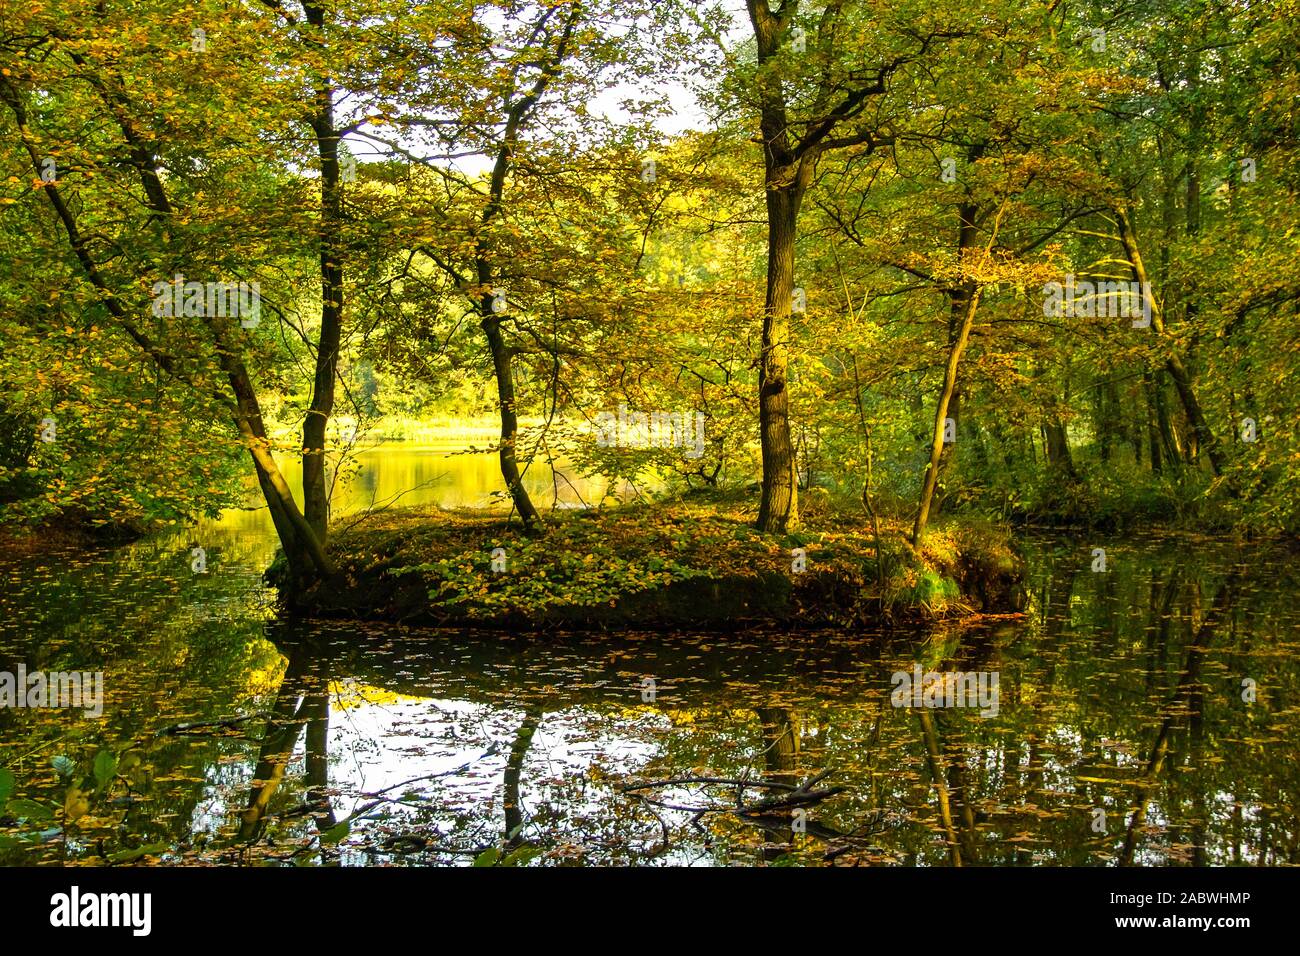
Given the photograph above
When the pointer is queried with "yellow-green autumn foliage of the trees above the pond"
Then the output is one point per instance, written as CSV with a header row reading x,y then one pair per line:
x,y
983,152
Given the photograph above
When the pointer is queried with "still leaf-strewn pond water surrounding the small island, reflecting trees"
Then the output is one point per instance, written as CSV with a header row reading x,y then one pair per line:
x,y
1149,715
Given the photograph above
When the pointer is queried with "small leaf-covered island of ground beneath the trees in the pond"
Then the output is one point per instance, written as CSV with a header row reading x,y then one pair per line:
x,y
658,566
